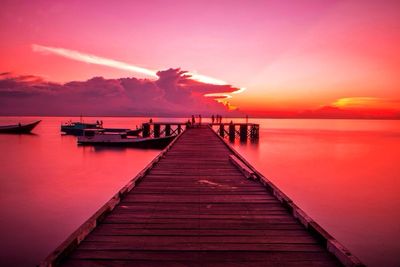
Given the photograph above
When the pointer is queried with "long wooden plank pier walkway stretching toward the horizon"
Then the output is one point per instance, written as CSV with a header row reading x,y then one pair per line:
x,y
199,203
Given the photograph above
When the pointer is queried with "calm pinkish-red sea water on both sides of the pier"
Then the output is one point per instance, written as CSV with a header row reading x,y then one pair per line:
x,y
343,173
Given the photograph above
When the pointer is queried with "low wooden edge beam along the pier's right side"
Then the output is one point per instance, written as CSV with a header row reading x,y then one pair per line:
x,y
331,244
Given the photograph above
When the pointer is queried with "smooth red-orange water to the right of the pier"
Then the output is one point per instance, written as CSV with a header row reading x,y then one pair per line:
x,y
344,173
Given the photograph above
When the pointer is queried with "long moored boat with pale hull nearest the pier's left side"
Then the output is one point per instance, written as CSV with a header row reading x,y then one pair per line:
x,y
104,138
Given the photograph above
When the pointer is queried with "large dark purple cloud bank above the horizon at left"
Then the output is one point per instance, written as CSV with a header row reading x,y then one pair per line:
x,y
172,93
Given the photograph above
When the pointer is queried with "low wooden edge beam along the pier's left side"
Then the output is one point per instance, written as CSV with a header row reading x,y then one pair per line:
x,y
84,230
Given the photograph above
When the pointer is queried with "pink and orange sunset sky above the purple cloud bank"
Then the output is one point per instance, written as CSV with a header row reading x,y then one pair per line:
x,y
289,55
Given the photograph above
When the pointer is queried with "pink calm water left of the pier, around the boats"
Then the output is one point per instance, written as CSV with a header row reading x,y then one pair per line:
x,y
49,185
